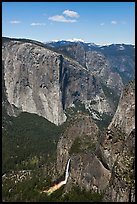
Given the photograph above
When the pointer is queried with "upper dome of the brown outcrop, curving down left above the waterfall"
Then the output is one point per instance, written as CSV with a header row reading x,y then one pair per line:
x,y
82,130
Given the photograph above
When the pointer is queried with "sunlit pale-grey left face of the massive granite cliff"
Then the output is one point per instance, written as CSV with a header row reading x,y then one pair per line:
x,y
32,80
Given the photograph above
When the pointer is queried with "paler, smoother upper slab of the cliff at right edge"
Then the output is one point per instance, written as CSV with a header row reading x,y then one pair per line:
x,y
122,124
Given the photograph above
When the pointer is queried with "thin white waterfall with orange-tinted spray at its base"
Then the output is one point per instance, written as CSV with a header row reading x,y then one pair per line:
x,y
57,186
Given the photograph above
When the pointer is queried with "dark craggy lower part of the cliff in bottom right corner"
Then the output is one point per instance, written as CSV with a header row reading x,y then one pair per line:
x,y
121,187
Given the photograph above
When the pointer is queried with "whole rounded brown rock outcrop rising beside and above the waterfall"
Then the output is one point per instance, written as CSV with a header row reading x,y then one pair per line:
x,y
79,143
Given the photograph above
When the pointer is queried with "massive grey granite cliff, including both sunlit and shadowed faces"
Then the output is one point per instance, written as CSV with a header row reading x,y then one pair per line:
x,y
38,80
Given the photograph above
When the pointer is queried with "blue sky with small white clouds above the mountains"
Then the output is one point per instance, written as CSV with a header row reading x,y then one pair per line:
x,y
95,22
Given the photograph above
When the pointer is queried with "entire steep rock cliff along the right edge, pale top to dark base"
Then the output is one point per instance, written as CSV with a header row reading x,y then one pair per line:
x,y
119,149
